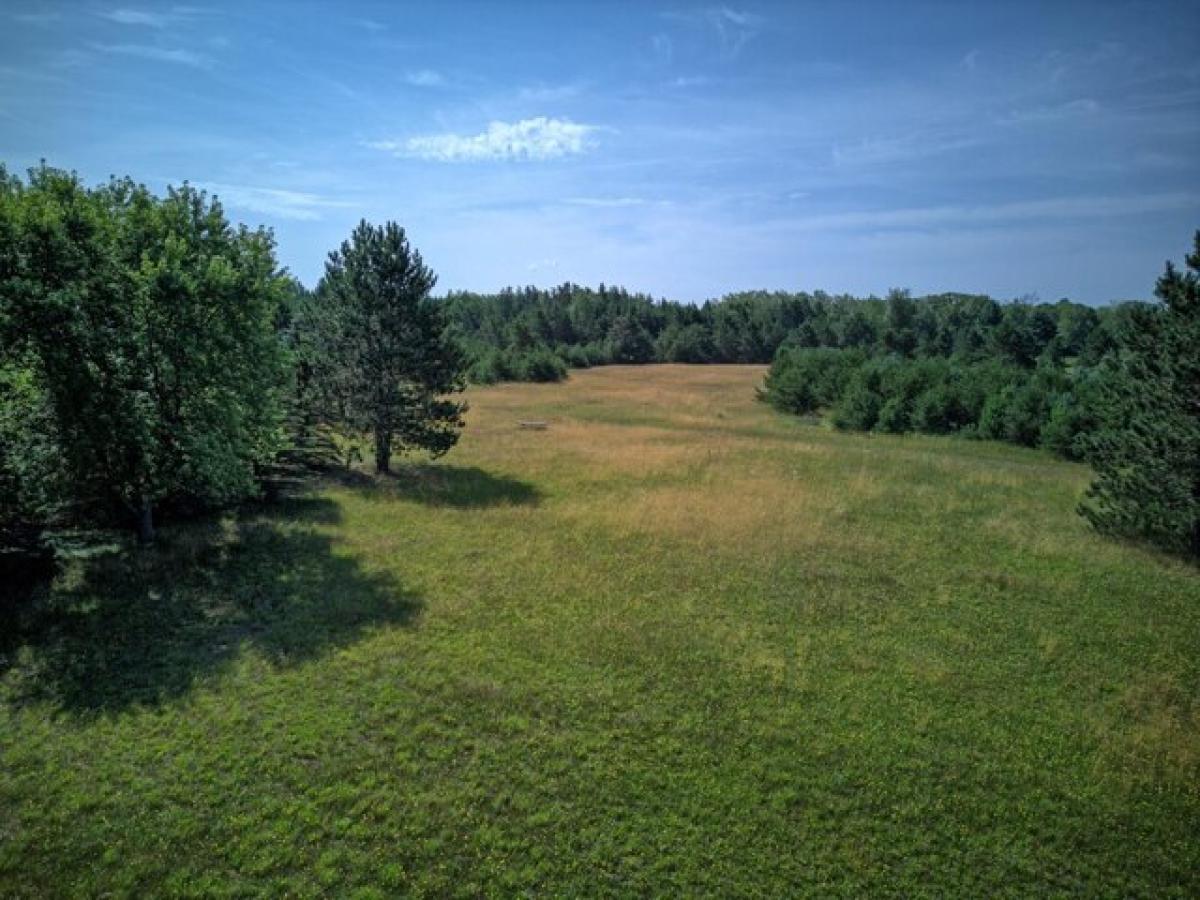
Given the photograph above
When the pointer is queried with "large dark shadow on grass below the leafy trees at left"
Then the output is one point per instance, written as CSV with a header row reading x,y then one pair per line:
x,y
142,628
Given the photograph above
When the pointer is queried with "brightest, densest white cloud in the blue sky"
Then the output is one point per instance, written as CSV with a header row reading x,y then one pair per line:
x,y
539,139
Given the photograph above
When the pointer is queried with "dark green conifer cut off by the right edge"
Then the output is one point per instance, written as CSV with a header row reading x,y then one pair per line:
x,y
1148,459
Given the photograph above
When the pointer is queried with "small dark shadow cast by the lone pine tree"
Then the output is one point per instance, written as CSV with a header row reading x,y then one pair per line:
x,y
457,487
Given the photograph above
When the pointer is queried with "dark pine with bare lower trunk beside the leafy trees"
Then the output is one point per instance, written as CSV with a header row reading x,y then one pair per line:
x,y
387,358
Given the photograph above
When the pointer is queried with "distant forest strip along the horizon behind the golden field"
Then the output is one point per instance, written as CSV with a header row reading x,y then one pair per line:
x,y
598,327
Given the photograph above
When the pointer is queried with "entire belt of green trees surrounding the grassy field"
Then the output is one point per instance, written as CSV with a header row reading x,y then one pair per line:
x,y
154,357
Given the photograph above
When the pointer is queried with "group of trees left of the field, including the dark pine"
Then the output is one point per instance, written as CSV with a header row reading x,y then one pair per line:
x,y
155,358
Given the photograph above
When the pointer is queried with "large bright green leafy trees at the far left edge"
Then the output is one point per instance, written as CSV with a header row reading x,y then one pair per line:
x,y
151,325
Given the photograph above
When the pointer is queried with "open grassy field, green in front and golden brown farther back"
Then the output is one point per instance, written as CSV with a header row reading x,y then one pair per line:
x,y
674,645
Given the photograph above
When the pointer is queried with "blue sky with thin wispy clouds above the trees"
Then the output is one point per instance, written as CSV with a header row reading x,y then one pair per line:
x,y
1047,149
